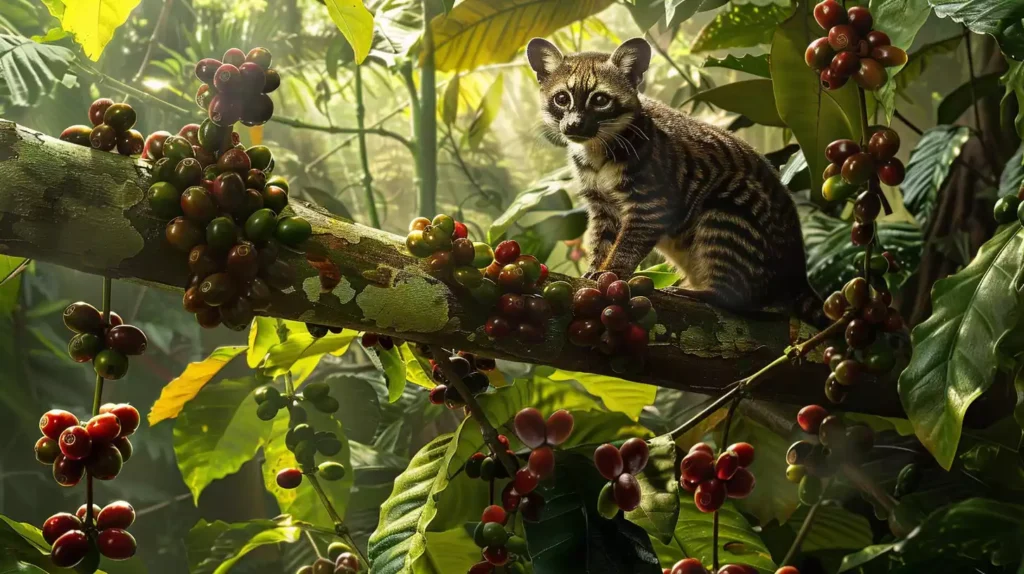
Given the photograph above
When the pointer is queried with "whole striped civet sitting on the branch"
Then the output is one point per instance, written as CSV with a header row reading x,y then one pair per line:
x,y
655,179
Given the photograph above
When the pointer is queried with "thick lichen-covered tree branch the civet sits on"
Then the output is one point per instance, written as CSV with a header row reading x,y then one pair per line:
x,y
87,210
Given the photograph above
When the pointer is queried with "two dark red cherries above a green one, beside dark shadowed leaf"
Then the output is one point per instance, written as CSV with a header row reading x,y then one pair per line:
x,y
620,466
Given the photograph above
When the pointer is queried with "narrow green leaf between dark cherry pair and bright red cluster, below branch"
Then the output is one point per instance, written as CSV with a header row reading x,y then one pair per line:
x,y
659,509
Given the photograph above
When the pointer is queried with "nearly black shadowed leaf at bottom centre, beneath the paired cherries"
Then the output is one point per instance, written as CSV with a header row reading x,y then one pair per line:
x,y
572,534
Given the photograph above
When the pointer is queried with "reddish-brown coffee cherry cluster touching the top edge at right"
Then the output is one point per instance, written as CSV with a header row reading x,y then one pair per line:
x,y
851,50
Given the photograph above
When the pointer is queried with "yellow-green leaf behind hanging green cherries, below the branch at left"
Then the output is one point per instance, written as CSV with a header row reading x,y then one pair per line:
x,y
303,503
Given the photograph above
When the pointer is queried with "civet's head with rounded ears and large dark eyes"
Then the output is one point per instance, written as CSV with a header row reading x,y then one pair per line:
x,y
589,95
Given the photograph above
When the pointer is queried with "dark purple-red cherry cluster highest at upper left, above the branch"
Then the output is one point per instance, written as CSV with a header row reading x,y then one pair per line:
x,y
236,87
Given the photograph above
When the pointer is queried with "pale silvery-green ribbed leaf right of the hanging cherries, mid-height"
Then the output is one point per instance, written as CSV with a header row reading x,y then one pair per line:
x,y
929,167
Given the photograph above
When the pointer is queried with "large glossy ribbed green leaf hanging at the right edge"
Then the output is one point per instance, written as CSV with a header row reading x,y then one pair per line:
x,y
955,350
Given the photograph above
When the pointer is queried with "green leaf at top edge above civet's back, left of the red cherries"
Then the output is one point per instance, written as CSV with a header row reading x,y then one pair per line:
x,y
743,26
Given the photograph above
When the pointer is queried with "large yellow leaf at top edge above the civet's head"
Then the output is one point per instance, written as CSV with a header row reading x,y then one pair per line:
x,y
480,32
